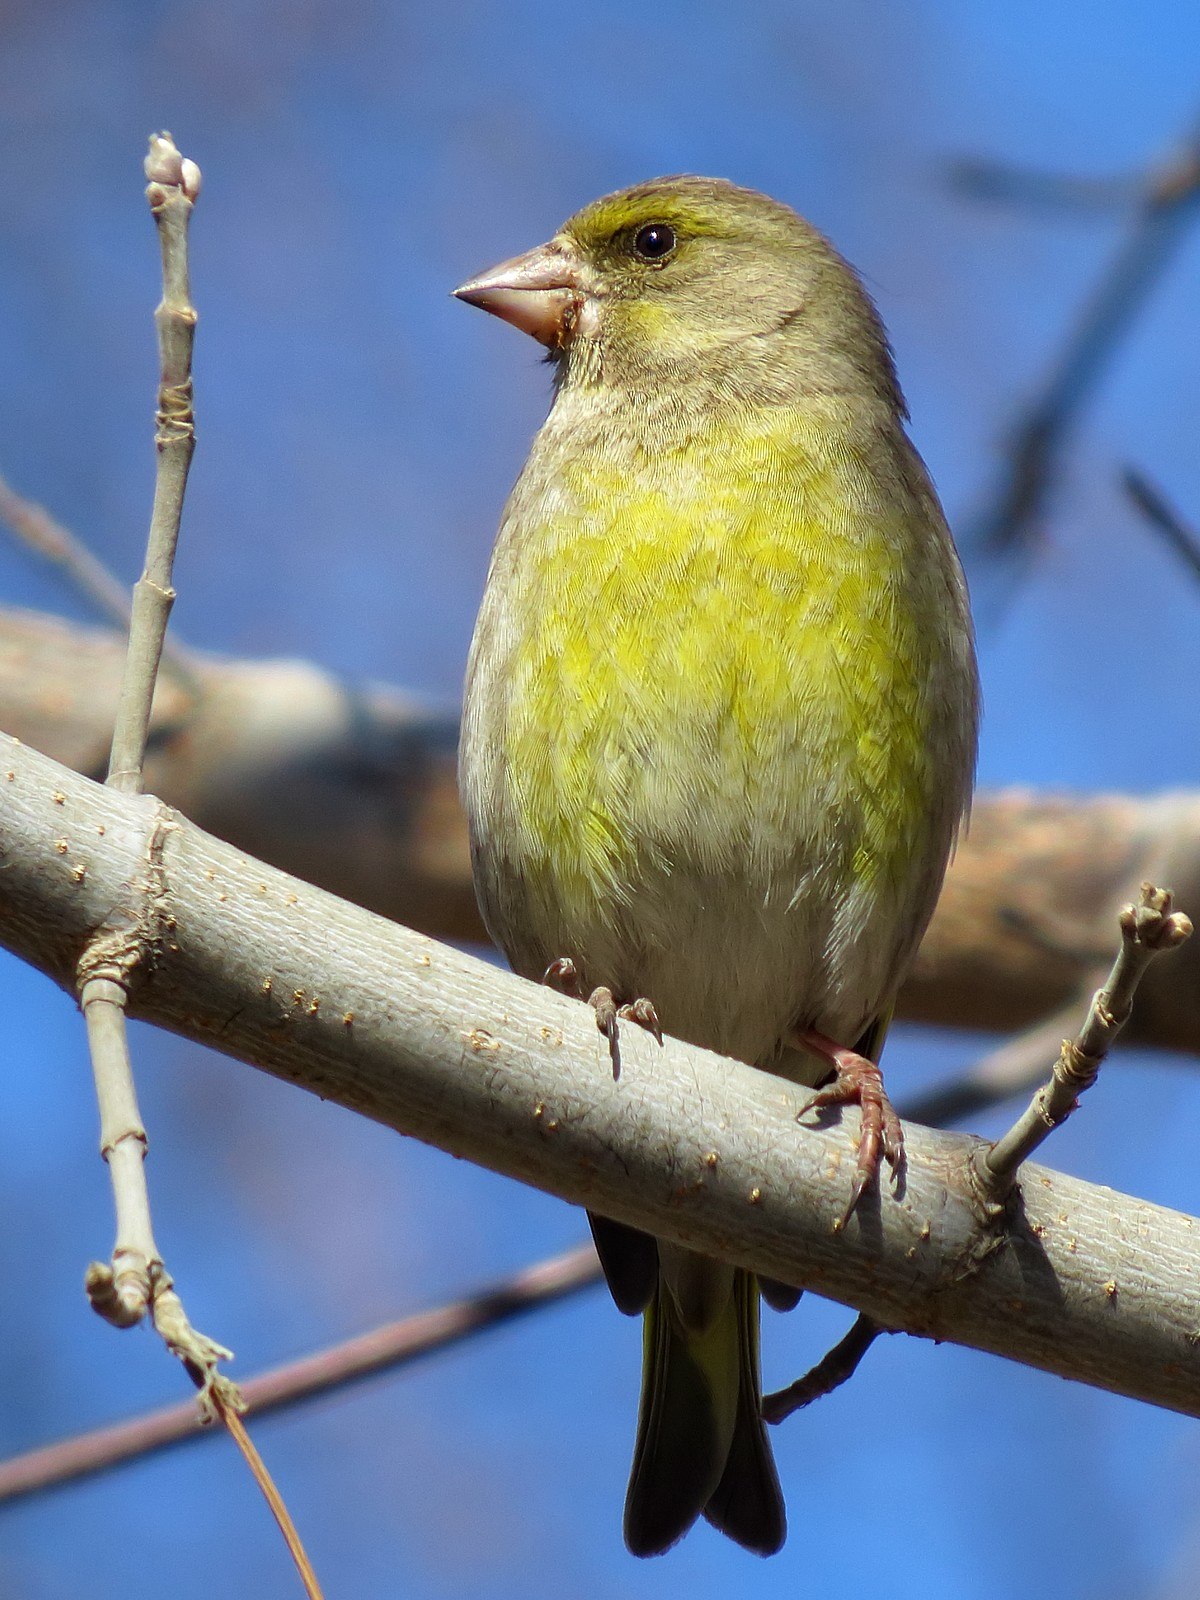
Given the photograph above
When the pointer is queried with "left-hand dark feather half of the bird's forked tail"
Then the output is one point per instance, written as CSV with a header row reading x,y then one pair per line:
x,y
682,1441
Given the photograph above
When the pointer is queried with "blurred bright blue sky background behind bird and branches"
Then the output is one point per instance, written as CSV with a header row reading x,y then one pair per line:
x,y
359,433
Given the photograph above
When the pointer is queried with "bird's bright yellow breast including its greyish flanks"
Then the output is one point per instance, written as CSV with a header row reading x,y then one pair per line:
x,y
708,673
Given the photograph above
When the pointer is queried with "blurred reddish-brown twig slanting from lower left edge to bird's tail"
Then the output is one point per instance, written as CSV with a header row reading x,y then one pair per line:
x,y
385,1350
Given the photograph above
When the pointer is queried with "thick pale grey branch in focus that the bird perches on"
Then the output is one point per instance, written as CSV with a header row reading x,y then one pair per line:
x,y
706,1153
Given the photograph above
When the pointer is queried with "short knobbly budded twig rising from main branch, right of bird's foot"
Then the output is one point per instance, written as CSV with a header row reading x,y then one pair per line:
x,y
1148,930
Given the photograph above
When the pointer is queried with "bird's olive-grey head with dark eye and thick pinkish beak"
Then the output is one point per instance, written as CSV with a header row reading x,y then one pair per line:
x,y
694,282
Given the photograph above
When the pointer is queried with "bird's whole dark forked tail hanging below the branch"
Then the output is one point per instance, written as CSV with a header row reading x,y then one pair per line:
x,y
702,1444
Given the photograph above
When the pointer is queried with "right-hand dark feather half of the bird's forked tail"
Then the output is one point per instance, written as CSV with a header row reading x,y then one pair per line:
x,y
748,1505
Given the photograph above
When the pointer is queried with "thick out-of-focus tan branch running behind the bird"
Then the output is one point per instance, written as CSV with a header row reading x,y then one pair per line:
x,y
374,817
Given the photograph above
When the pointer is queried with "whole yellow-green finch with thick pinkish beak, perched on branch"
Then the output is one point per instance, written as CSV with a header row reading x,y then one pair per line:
x,y
721,721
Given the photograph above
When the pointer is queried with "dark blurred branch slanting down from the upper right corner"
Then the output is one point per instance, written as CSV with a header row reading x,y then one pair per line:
x,y
1169,202
